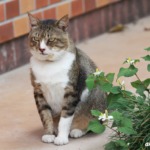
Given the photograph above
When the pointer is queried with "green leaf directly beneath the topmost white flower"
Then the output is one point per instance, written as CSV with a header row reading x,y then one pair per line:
x,y
127,72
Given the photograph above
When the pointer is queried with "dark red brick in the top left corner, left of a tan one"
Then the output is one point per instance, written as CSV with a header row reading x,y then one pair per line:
x,y
12,9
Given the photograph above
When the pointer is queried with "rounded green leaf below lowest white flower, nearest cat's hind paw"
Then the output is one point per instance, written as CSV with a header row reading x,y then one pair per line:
x,y
96,127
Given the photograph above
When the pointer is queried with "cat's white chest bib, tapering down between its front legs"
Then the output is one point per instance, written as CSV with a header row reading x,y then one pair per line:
x,y
53,77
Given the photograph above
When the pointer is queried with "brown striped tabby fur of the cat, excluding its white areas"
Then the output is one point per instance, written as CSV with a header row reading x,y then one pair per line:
x,y
56,35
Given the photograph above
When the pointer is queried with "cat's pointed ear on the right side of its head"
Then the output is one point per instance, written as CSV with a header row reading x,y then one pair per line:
x,y
63,23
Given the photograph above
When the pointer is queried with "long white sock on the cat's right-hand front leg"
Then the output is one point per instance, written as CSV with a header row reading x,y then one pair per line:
x,y
63,131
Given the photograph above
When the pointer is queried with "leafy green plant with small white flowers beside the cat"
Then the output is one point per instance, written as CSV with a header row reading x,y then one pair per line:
x,y
130,111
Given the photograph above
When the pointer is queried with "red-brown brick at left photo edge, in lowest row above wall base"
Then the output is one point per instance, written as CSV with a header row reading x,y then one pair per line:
x,y
6,31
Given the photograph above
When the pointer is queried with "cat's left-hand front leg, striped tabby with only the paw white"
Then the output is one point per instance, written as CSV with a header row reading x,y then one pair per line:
x,y
45,114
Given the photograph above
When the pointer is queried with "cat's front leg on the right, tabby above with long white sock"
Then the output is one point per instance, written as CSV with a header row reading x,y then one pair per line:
x,y
67,114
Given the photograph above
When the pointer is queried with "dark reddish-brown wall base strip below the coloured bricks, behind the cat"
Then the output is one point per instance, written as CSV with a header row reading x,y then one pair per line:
x,y
15,53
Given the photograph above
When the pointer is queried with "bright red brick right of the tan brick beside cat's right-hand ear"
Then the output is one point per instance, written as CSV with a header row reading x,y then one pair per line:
x,y
76,7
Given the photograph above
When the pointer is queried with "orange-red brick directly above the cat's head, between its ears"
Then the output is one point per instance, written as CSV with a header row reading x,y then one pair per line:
x,y
50,13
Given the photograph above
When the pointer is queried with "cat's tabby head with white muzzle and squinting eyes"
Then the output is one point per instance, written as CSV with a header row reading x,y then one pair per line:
x,y
48,39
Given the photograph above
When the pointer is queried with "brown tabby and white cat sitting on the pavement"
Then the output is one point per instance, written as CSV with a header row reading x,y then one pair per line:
x,y
58,74
